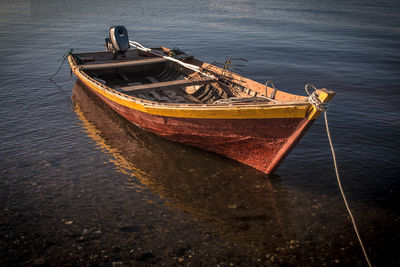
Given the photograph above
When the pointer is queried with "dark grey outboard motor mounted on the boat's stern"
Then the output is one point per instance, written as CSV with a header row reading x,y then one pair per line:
x,y
118,42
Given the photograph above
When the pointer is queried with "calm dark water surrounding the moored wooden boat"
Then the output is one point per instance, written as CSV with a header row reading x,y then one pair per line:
x,y
80,186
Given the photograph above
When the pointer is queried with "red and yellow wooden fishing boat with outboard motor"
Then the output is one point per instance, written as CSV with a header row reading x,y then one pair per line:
x,y
174,95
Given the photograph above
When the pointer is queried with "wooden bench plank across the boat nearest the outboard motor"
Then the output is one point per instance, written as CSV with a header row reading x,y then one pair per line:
x,y
128,63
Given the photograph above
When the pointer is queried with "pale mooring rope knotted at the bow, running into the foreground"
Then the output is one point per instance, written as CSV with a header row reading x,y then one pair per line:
x,y
313,99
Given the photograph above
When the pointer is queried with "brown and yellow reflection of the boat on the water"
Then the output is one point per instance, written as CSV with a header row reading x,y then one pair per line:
x,y
236,200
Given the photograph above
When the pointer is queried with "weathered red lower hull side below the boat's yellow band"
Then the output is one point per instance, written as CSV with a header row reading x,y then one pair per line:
x,y
260,143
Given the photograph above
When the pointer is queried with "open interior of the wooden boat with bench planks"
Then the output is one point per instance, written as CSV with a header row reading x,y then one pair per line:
x,y
157,79
